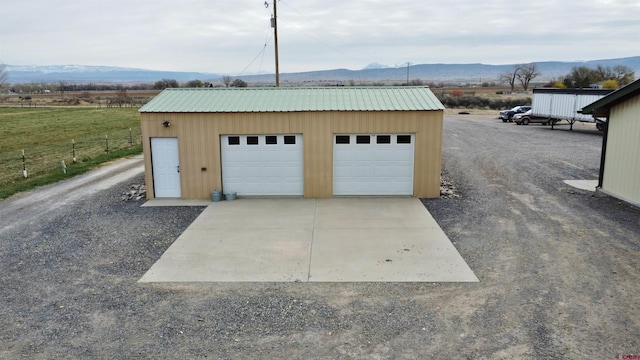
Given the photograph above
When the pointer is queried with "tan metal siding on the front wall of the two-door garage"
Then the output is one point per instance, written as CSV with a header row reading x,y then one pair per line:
x,y
199,143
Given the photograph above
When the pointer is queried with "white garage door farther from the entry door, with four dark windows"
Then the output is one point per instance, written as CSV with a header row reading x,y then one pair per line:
x,y
380,164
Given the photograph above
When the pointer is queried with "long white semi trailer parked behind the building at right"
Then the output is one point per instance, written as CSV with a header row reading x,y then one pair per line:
x,y
563,104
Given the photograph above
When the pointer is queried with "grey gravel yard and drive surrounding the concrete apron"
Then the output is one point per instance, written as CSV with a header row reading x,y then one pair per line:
x,y
559,272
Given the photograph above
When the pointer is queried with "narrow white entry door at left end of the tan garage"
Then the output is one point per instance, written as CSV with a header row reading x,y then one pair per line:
x,y
166,167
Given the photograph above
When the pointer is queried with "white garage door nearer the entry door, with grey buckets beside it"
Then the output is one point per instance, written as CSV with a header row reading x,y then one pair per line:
x,y
262,164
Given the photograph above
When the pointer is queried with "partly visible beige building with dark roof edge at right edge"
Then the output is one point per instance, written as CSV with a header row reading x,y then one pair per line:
x,y
620,161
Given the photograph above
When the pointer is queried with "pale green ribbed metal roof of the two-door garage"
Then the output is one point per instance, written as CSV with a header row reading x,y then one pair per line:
x,y
293,99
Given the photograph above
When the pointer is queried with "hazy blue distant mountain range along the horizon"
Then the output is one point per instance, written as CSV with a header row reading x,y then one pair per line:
x,y
372,73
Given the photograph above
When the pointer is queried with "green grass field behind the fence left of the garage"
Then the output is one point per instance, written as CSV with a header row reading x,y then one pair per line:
x,y
49,136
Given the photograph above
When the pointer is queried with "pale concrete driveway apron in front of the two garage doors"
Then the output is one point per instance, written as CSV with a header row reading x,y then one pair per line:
x,y
313,240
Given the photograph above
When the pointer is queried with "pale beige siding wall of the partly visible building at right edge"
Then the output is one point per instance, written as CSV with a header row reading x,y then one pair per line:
x,y
622,164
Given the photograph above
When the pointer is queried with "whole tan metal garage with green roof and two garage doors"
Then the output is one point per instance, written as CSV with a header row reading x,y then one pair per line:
x,y
310,142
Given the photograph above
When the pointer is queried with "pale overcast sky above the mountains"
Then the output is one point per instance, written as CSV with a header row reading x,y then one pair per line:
x,y
229,36
